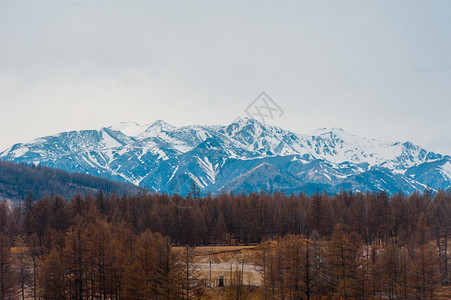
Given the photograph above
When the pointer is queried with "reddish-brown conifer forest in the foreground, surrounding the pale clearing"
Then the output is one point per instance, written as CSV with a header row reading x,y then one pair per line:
x,y
347,246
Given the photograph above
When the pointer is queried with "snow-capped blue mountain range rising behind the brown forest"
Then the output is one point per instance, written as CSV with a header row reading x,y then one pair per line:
x,y
245,156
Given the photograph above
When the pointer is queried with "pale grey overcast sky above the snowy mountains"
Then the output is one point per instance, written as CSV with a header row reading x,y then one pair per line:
x,y
380,69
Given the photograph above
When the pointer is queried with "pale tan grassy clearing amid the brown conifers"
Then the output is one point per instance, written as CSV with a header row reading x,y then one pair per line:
x,y
226,260
